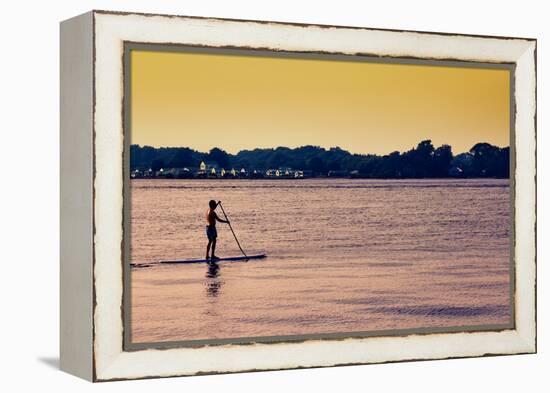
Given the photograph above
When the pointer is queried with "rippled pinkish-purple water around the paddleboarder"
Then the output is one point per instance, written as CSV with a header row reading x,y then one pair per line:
x,y
344,255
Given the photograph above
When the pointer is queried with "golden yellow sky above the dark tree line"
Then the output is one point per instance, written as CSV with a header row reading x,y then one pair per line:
x,y
203,101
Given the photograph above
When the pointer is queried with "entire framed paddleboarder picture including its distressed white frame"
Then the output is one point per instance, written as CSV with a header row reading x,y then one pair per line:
x,y
246,195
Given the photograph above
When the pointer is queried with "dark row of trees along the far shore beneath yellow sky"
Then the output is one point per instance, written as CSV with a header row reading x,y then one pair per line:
x,y
422,161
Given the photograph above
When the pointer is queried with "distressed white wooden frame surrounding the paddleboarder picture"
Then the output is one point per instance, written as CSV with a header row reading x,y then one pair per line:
x,y
92,197
